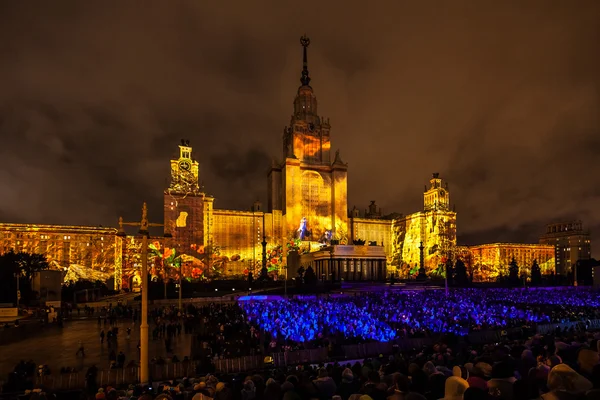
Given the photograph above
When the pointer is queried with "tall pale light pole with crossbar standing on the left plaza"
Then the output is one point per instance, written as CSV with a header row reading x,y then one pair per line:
x,y
144,226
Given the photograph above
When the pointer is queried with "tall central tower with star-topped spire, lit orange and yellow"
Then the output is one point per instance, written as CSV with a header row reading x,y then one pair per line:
x,y
309,186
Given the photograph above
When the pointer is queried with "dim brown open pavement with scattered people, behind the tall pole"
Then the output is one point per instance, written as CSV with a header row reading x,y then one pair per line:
x,y
57,347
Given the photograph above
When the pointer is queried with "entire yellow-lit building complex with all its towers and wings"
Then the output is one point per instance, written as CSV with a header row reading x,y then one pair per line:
x,y
307,210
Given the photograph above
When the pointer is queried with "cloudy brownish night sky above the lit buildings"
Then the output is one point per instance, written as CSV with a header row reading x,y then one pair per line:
x,y
501,98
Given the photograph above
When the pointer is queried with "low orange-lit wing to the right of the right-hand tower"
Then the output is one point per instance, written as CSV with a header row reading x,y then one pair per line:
x,y
488,261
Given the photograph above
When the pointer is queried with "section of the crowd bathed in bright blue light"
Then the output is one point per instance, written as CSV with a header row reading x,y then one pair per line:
x,y
389,315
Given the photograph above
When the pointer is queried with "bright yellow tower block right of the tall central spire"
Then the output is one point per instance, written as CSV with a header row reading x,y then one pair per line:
x,y
428,237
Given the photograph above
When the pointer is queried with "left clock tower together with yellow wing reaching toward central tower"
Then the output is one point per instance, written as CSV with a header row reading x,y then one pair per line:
x,y
197,228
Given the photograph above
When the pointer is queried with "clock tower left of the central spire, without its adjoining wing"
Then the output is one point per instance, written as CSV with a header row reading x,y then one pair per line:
x,y
187,209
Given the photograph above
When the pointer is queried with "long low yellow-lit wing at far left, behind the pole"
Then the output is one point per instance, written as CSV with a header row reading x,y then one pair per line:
x,y
93,253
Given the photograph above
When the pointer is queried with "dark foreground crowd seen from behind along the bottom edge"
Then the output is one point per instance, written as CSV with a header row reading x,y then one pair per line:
x,y
564,367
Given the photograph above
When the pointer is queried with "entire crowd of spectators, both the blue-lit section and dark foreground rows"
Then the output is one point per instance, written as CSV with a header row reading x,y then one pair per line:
x,y
452,369
